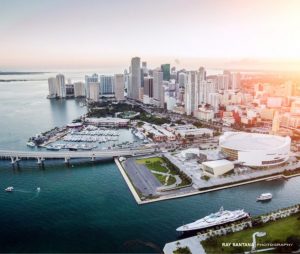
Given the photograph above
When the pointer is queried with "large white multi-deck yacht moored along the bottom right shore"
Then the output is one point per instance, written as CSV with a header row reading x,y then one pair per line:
x,y
214,219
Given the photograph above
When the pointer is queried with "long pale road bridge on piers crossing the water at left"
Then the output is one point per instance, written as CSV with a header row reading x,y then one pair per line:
x,y
40,156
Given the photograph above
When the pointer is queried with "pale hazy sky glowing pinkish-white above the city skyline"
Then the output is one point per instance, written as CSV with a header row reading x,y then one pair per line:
x,y
54,34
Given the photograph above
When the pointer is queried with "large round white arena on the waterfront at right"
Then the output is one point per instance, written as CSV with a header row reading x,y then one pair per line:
x,y
255,150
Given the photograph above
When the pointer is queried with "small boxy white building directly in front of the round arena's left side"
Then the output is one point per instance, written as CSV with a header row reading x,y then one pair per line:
x,y
217,168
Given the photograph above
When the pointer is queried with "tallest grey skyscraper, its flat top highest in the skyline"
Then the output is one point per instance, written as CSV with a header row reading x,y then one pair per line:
x,y
135,83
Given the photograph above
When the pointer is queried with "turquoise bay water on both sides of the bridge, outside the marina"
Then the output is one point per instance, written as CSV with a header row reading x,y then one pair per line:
x,y
87,207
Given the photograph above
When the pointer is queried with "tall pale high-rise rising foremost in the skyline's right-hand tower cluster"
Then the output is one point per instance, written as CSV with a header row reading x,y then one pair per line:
x,y
191,93
